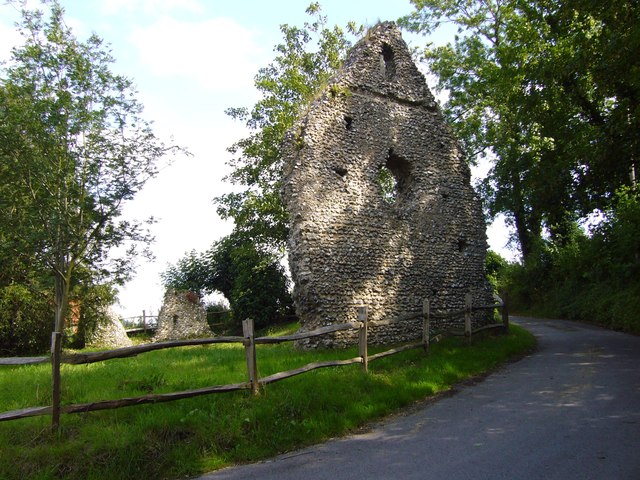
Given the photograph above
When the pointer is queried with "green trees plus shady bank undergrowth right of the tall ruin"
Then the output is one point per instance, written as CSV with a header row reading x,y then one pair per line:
x,y
551,89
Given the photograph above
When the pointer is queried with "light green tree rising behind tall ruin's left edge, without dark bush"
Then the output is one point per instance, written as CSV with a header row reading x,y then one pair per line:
x,y
287,85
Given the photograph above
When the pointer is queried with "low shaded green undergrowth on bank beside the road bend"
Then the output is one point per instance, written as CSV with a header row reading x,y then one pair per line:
x,y
592,278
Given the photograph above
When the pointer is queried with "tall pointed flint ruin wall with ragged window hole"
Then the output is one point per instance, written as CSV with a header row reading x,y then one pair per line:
x,y
349,246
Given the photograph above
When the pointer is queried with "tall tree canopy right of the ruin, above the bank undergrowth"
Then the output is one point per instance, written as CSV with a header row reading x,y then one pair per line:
x,y
550,88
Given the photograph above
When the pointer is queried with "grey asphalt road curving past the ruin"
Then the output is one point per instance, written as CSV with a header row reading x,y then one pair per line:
x,y
569,411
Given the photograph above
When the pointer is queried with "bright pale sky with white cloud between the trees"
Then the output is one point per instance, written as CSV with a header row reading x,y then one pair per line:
x,y
190,60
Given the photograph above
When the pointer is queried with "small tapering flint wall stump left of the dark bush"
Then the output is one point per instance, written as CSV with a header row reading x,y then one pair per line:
x,y
182,316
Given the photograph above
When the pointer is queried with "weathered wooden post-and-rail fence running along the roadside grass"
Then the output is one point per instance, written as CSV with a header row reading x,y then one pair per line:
x,y
254,381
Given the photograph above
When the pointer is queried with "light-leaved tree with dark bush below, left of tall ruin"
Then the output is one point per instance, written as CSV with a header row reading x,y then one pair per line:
x,y
243,266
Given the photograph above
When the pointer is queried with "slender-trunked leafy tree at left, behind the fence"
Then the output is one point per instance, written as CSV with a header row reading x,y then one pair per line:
x,y
75,148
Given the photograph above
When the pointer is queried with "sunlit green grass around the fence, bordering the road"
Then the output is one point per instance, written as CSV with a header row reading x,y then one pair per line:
x,y
188,437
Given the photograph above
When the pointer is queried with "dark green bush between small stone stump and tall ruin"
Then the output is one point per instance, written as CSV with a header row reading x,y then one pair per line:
x,y
250,277
